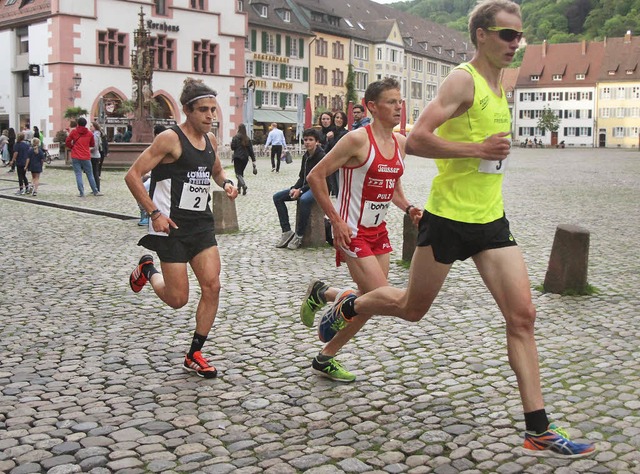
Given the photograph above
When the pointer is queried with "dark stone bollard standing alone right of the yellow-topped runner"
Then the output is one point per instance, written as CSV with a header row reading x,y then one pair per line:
x,y
569,260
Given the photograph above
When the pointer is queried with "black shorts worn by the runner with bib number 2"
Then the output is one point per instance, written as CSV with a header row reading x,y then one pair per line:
x,y
179,249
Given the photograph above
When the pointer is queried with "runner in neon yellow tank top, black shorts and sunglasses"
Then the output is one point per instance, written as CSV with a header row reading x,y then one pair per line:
x,y
465,217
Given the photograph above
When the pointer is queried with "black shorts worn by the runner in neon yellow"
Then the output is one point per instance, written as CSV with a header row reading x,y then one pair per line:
x,y
453,240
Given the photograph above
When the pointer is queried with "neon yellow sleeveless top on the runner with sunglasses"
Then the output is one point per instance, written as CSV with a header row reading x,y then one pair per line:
x,y
470,189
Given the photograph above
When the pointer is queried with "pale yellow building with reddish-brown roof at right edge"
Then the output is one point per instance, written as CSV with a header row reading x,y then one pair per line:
x,y
618,117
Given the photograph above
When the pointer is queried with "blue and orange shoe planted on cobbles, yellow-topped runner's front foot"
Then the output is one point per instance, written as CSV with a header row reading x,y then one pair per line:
x,y
555,443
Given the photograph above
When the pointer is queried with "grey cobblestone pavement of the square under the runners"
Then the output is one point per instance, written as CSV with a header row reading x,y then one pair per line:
x,y
91,378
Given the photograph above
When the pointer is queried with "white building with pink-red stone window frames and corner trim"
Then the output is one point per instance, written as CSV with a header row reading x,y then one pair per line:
x,y
79,53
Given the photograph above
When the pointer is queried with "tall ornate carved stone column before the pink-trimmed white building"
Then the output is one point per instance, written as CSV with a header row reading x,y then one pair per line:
x,y
142,92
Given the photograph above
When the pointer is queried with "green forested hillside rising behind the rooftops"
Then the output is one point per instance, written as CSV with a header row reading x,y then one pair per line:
x,y
557,21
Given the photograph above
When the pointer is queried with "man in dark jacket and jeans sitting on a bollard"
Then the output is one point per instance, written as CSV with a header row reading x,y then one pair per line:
x,y
300,192
